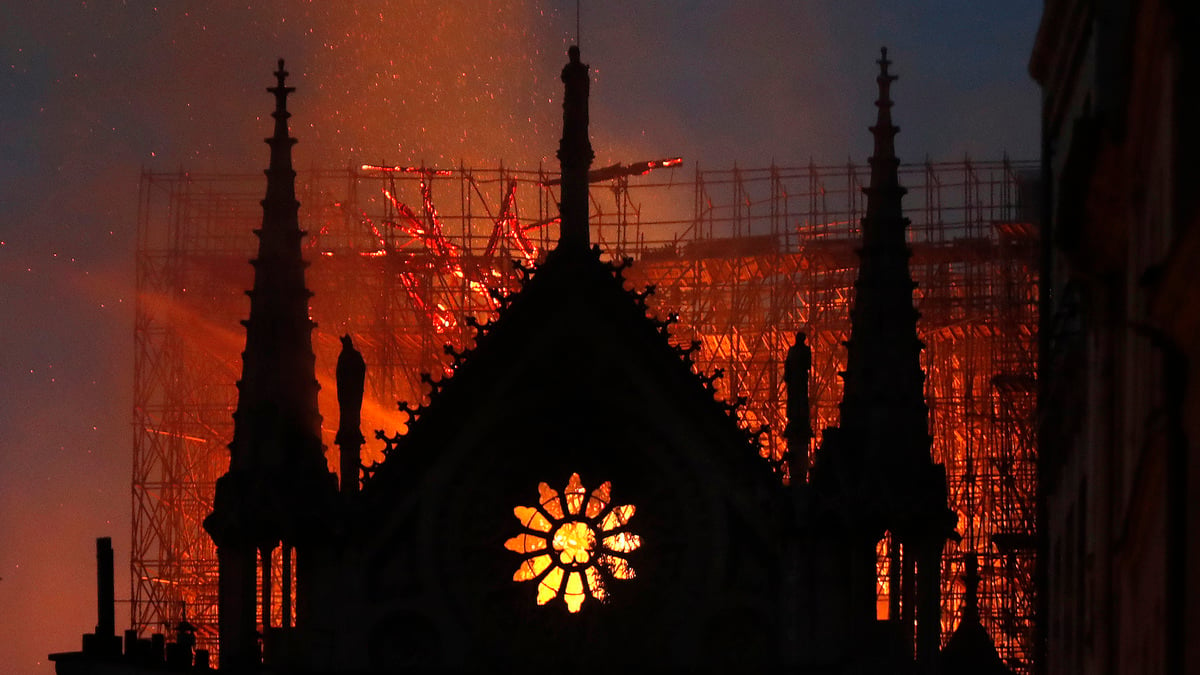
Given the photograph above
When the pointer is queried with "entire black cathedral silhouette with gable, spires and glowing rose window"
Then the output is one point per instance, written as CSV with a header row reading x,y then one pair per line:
x,y
572,493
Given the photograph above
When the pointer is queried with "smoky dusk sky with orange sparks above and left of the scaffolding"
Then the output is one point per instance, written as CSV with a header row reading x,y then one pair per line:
x,y
94,93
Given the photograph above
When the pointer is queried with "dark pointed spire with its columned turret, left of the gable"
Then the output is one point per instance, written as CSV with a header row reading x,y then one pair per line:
x,y
278,482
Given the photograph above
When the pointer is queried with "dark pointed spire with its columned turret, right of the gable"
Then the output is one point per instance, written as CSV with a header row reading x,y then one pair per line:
x,y
875,469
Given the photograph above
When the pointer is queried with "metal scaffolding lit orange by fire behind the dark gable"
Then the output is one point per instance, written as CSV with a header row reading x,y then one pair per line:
x,y
746,258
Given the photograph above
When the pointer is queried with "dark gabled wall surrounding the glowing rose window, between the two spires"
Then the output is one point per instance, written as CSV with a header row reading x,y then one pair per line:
x,y
573,384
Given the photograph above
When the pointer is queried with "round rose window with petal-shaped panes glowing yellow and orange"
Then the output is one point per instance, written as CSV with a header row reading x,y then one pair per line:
x,y
574,543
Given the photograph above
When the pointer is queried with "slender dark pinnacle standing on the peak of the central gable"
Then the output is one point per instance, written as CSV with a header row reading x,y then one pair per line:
x,y
575,156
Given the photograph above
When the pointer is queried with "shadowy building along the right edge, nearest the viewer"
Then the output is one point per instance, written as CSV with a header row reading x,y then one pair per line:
x,y
1120,414
